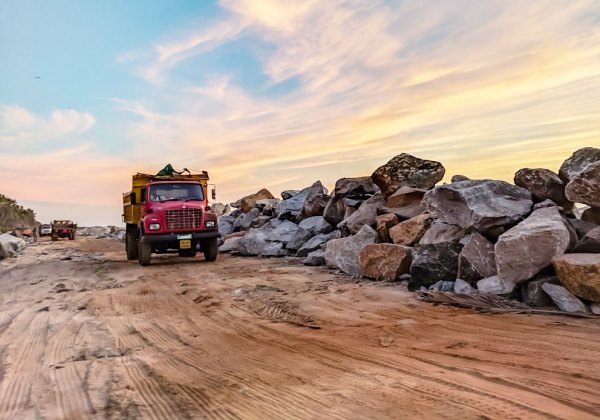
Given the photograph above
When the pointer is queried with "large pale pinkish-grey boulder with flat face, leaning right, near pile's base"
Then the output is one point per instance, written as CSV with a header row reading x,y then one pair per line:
x,y
528,247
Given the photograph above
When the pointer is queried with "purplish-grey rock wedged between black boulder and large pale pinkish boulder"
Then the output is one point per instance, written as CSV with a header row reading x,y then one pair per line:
x,y
476,260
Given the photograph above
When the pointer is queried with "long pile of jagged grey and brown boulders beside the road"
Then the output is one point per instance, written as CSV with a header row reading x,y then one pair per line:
x,y
537,240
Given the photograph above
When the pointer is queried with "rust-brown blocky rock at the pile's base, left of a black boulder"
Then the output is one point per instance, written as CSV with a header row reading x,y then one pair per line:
x,y
385,261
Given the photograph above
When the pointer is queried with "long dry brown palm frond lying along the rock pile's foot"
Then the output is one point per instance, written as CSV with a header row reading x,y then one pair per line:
x,y
487,303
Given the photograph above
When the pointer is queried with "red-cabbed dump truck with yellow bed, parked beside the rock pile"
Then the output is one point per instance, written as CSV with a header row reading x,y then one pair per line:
x,y
169,212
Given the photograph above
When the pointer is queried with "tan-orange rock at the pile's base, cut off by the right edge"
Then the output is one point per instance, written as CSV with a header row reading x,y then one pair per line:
x,y
580,274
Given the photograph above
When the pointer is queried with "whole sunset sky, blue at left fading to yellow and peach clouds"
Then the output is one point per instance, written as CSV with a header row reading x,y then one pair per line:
x,y
278,94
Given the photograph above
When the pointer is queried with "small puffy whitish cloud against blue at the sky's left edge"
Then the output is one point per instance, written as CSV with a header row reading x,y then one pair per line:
x,y
18,124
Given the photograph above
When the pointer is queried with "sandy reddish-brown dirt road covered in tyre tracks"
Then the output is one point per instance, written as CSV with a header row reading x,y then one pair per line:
x,y
84,333
